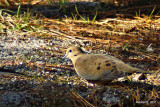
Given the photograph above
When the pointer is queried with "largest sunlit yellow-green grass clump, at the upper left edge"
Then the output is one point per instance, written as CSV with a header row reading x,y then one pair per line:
x,y
20,20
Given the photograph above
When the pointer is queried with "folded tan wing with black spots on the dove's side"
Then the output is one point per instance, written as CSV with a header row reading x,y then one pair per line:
x,y
96,67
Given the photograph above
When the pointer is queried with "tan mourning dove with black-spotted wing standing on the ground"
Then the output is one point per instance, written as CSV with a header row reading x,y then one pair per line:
x,y
98,67
